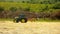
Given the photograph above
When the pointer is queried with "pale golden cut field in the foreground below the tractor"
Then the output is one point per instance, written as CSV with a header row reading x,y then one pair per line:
x,y
9,27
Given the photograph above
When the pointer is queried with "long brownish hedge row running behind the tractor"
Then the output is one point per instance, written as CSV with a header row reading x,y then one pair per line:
x,y
52,14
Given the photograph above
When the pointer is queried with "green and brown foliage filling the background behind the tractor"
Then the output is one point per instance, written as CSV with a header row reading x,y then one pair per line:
x,y
45,9
